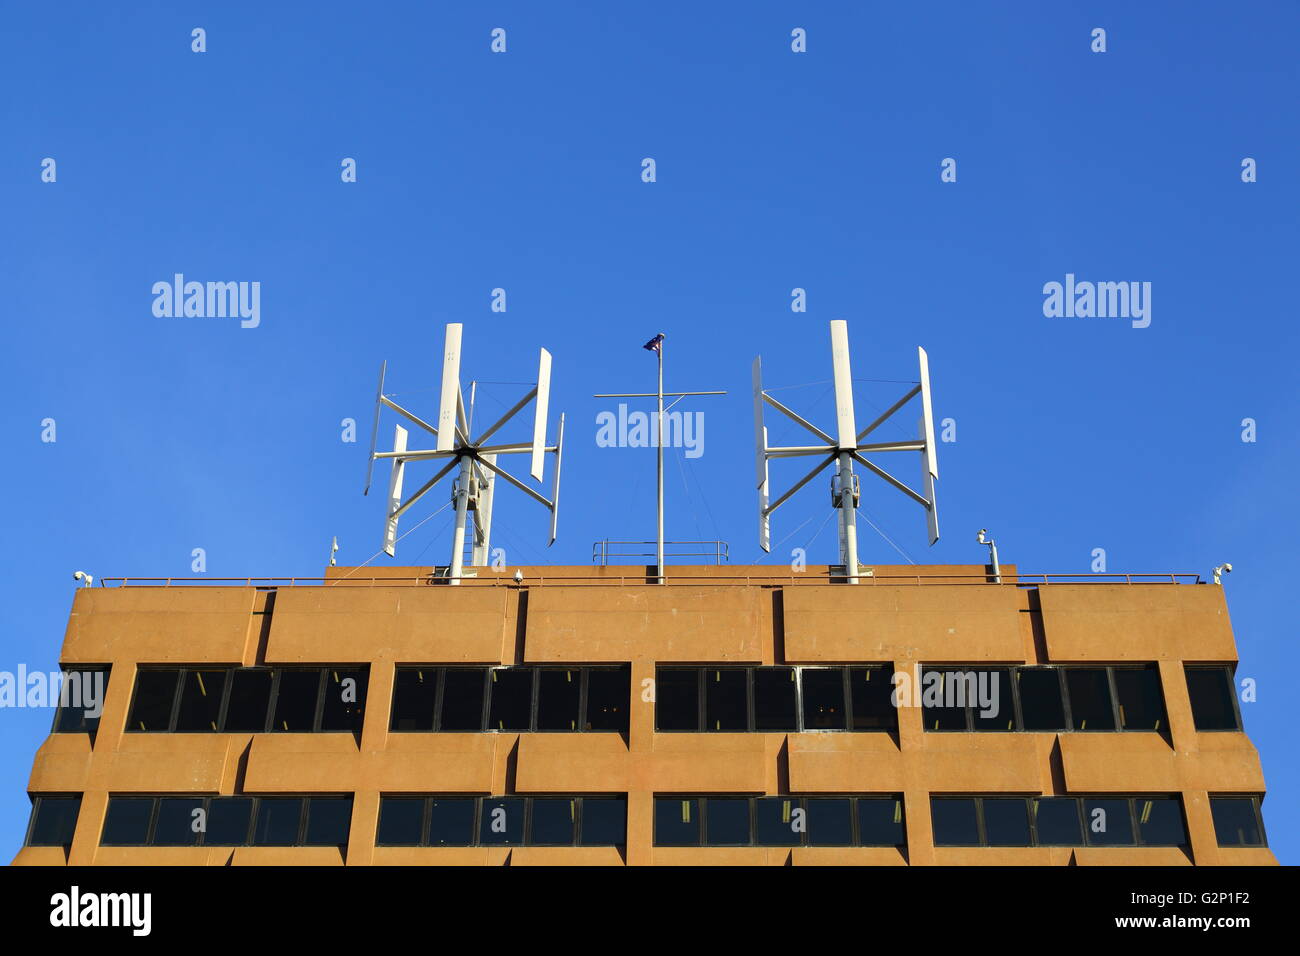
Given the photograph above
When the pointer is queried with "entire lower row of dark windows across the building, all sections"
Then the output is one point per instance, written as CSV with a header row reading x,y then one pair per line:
x,y
679,821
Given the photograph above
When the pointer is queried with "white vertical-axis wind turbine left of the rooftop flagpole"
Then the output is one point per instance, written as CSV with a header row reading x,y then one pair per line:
x,y
476,461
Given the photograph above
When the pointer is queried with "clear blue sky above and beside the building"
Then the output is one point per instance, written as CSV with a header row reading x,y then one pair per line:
x,y
775,171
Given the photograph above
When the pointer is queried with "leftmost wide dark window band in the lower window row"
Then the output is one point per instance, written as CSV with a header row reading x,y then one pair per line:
x,y
235,821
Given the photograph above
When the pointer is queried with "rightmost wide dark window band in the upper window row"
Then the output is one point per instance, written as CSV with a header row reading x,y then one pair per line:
x,y
1043,699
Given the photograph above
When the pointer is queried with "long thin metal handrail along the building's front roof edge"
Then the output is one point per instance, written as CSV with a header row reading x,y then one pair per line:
x,y
801,579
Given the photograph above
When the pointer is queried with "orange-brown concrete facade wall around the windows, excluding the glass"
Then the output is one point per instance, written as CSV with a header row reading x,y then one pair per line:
x,y
761,616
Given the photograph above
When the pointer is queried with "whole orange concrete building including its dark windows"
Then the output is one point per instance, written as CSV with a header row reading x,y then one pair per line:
x,y
587,716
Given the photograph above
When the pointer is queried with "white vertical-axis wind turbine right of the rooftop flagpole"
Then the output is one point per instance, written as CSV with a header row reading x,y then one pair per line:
x,y
844,449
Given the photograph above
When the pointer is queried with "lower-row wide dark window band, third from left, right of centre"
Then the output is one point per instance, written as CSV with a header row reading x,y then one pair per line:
x,y
779,821
